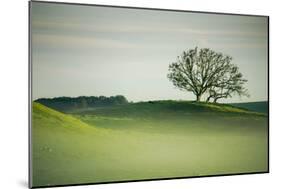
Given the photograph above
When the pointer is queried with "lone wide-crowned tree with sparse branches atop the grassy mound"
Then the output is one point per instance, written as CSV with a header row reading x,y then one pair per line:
x,y
206,71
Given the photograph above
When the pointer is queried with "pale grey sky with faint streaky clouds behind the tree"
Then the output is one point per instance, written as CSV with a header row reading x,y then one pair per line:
x,y
92,51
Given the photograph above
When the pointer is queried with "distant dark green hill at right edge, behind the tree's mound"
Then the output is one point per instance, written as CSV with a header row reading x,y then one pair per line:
x,y
253,106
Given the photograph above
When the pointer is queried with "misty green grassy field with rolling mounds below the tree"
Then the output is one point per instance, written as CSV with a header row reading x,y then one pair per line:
x,y
146,140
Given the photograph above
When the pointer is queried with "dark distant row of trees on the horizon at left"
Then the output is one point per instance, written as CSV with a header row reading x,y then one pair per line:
x,y
66,104
